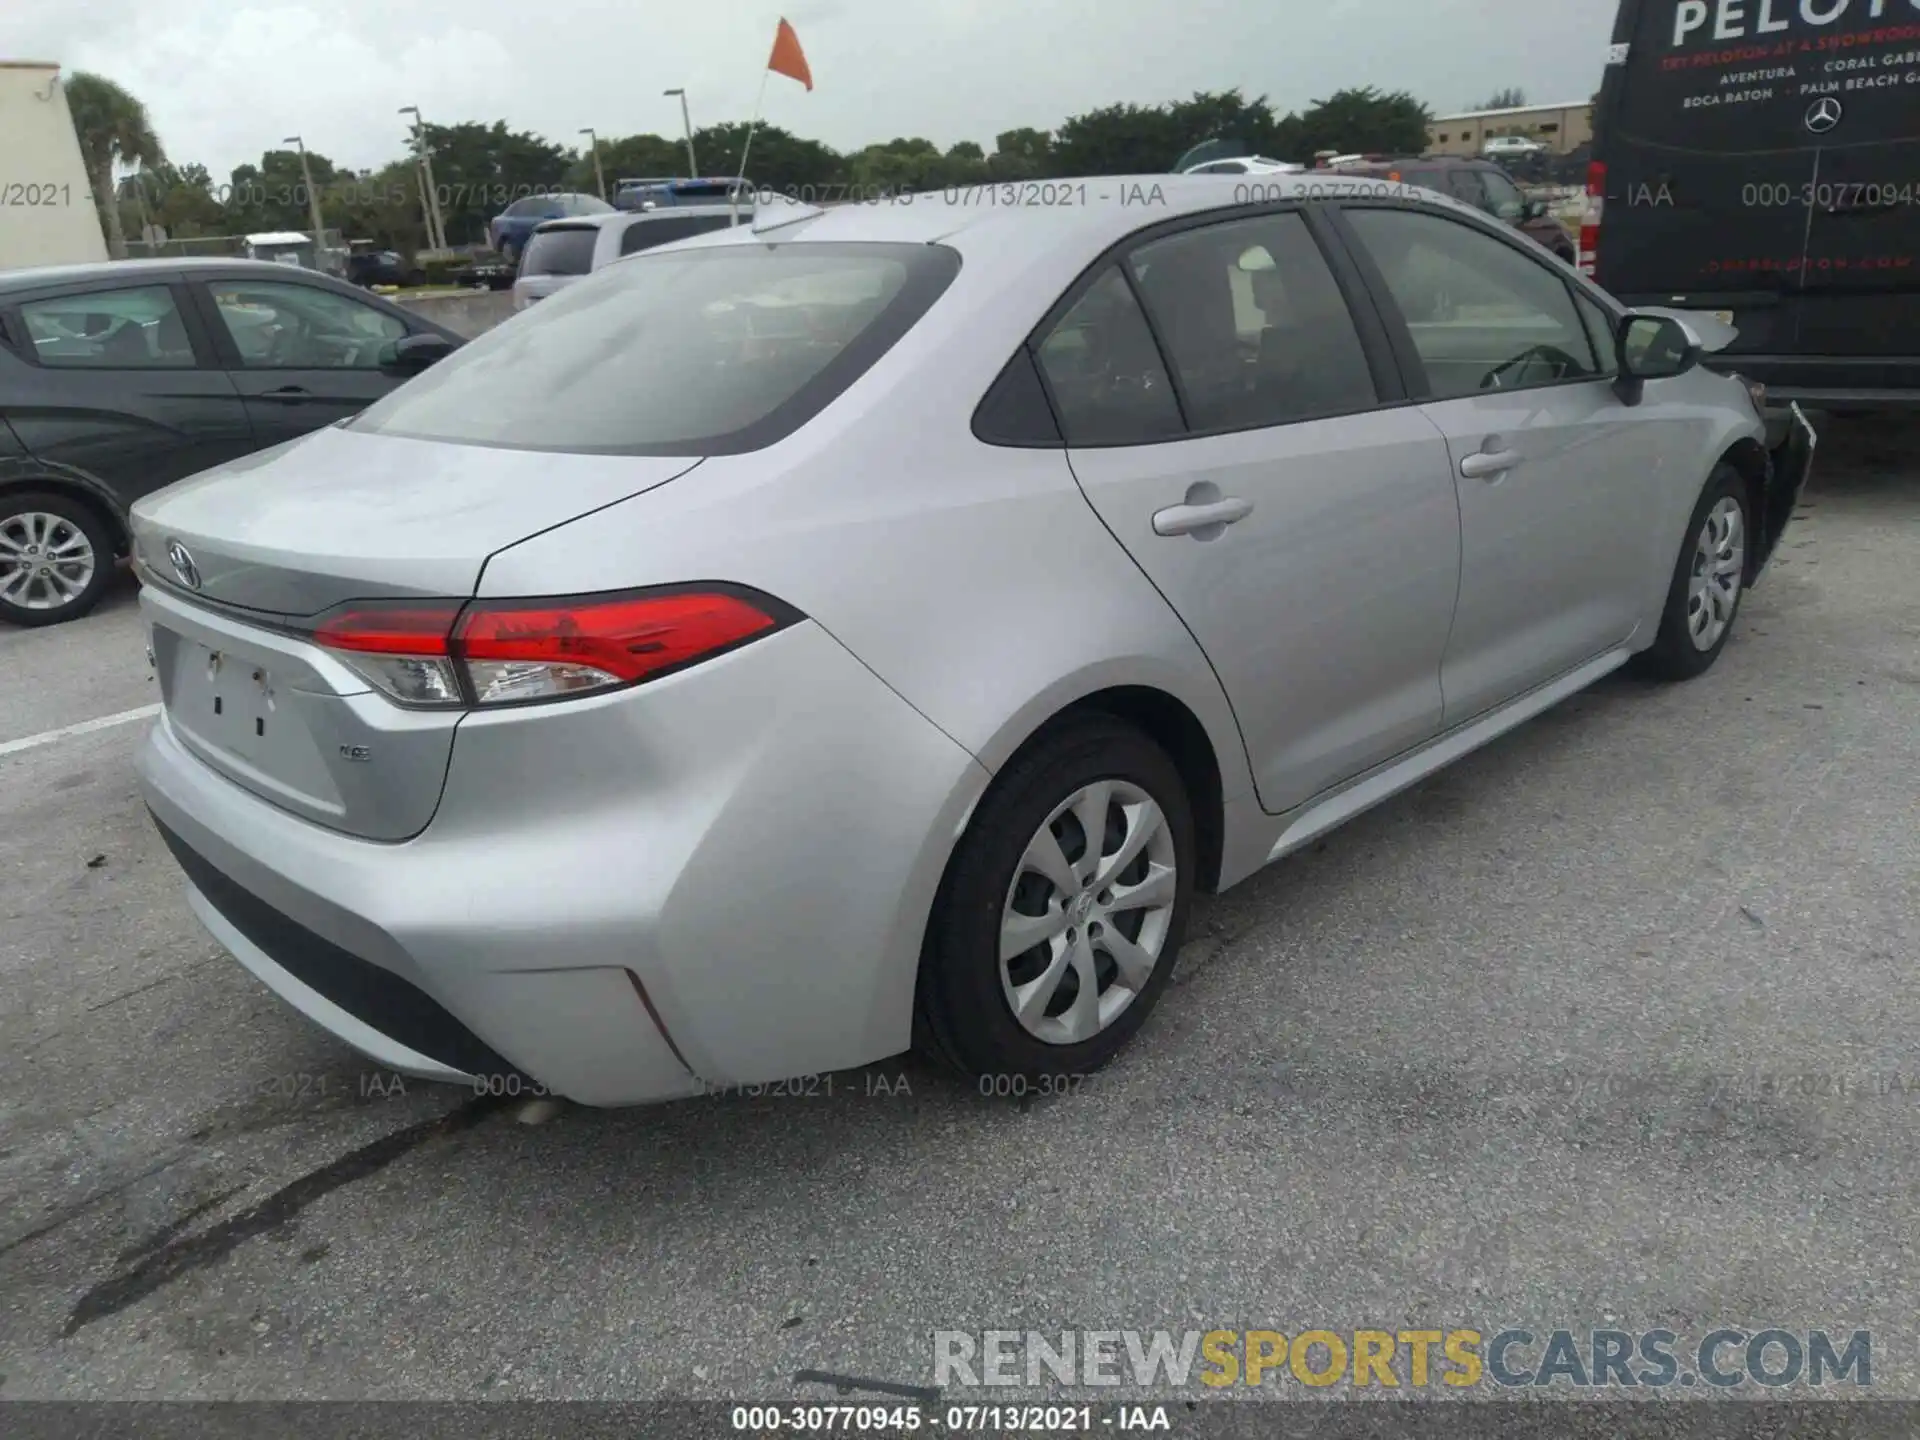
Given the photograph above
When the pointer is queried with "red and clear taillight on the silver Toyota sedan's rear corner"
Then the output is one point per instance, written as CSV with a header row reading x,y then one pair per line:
x,y
539,650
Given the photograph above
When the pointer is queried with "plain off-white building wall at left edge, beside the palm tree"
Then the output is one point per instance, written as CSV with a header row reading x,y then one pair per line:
x,y
47,206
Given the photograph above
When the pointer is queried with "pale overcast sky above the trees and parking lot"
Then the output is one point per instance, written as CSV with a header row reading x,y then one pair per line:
x,y
228,80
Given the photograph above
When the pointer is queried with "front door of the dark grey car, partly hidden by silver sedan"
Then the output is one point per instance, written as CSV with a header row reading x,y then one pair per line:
x,y
302,356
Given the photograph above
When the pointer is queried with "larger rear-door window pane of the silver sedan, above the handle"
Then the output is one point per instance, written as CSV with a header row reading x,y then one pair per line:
x,y
1255,325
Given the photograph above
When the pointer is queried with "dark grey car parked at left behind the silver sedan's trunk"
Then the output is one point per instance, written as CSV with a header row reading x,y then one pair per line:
x,y
120,379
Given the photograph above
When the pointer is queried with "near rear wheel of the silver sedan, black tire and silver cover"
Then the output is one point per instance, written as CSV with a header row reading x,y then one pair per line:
x,y
1063,909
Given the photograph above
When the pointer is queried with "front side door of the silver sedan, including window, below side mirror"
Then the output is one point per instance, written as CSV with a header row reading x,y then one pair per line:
x,y
1556,477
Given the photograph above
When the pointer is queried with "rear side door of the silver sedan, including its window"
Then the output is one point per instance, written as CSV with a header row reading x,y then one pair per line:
x,y
1307,535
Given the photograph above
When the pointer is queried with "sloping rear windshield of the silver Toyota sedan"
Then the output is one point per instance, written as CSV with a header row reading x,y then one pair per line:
x,y
702,352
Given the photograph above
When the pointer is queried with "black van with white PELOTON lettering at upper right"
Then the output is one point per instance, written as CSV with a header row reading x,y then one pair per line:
x,y
1765,160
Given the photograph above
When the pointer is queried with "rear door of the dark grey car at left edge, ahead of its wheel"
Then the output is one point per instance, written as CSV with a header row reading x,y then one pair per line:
x,y
120,383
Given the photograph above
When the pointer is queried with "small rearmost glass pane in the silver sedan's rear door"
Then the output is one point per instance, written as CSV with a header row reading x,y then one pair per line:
x,y
1105,373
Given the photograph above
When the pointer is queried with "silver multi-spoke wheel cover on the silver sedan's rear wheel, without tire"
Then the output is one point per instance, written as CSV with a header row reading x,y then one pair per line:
x,y
1088,917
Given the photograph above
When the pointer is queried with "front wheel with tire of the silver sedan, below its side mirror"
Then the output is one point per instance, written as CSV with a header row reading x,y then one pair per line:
x,y
1708,585
